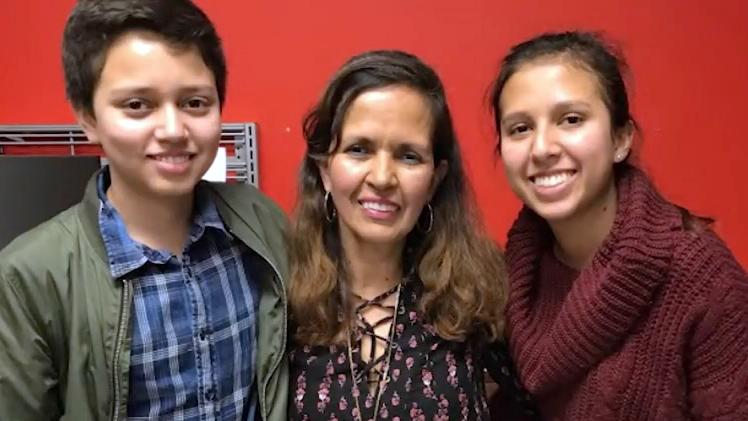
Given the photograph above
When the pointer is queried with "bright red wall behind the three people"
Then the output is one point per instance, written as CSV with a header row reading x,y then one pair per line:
x,y
689,60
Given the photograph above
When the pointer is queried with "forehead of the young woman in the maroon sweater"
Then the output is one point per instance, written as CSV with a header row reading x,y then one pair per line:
x,y
545,82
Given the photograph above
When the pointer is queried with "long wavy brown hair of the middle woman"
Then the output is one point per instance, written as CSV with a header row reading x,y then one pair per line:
x,y
460,268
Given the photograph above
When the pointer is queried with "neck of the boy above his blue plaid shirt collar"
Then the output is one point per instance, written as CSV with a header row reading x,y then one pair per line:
x,y
160,223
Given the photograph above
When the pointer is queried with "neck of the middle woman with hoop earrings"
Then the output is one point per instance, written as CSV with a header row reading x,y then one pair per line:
x,y
372,269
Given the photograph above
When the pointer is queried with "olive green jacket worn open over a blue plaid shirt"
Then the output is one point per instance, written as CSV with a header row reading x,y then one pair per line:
x,y
65,323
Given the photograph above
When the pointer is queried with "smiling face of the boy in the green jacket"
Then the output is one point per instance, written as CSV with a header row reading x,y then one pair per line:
x,y
156,115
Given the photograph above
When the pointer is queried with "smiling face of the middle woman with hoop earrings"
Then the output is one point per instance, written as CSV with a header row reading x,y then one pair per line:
x,y
382,172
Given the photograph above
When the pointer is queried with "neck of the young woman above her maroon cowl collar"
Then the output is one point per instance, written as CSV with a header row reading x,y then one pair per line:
x,y
578,238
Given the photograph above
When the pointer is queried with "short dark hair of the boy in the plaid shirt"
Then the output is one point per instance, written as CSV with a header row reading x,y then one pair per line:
x,y
94,25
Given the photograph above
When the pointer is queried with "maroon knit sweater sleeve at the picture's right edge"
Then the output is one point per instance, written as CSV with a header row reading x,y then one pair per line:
x,y
717,350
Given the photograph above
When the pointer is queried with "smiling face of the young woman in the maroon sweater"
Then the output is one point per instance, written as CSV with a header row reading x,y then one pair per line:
x,y
557,145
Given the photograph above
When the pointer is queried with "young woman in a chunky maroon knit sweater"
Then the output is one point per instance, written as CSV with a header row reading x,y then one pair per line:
x,y
622,305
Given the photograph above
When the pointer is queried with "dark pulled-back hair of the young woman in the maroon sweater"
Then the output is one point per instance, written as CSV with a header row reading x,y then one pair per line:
x,y
586,49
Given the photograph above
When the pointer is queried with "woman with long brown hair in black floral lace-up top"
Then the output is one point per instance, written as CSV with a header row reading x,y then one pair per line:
x,y
394,289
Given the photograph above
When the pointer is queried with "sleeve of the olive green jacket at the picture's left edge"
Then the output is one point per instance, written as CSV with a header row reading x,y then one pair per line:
x,y
28,379
